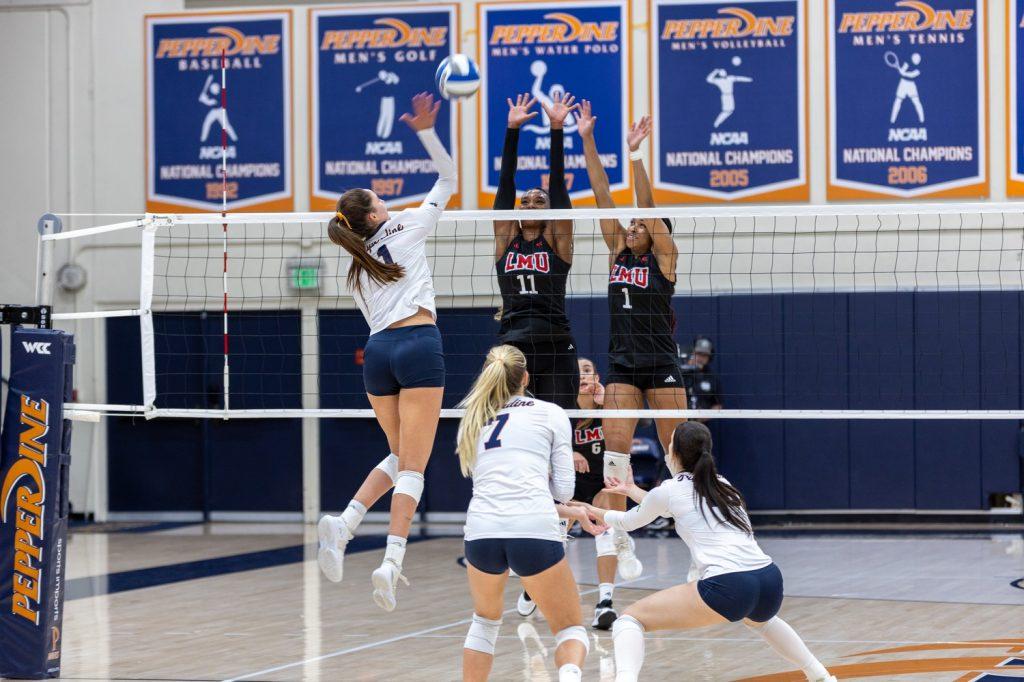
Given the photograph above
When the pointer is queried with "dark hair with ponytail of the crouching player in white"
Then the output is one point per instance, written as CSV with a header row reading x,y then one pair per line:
x,y
692,447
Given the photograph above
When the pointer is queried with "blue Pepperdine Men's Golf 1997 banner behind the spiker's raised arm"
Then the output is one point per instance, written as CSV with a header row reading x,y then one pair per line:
x,y
366,65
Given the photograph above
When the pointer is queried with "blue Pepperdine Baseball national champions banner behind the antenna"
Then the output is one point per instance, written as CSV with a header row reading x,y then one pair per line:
x,y
194,121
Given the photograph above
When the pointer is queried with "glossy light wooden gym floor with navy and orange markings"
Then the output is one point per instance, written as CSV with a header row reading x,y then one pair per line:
x,y
234,602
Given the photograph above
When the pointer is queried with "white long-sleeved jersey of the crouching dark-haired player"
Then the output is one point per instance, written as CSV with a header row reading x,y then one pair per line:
x,y
717,547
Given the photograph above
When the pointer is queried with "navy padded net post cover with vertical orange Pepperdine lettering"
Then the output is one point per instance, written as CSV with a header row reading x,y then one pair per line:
x,y
34,465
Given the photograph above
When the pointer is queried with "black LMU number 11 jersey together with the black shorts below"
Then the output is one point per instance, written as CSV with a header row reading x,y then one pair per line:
x,y
532,279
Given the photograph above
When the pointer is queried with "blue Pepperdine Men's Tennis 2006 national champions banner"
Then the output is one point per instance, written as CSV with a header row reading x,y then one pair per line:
x,y
907,99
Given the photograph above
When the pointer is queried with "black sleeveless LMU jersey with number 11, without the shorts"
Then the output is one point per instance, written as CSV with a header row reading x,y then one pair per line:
x,y
532,279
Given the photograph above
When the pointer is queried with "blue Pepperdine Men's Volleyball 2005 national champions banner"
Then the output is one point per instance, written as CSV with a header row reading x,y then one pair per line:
x,y
730,101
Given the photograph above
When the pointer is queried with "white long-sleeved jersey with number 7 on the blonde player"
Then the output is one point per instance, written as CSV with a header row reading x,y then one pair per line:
x,y
524,464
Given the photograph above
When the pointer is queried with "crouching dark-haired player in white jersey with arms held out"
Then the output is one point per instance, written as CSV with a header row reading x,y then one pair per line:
x,y
739,582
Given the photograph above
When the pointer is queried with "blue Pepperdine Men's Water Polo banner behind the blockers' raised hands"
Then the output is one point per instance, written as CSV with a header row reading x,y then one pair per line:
x,y
545,49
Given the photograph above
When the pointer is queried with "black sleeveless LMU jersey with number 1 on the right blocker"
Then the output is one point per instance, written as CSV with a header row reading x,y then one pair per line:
x,y
641,307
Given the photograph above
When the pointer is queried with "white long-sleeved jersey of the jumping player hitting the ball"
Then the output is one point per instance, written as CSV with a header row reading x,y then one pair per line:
x,y
403,240
